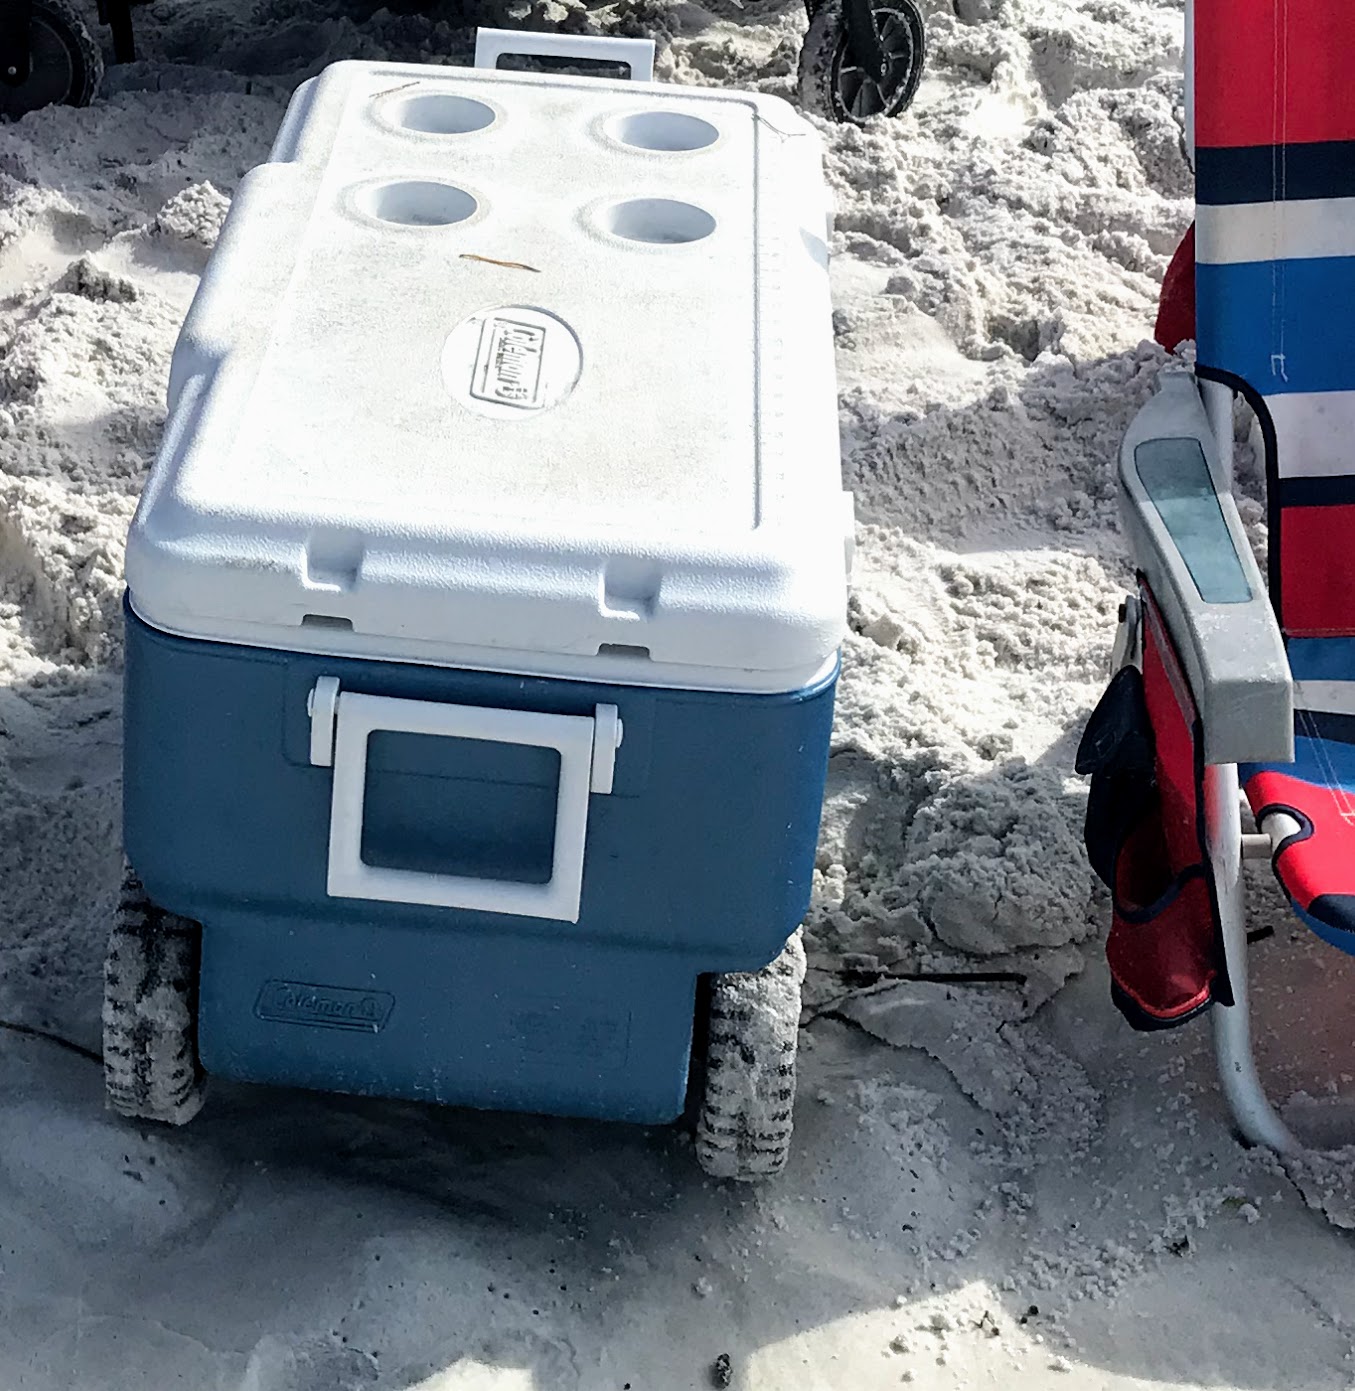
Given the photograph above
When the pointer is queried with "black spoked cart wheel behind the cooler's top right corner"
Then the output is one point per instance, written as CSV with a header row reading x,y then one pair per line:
x,y
837,86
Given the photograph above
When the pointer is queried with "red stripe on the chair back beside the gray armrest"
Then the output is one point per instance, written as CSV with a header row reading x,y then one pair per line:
x,y
1317,586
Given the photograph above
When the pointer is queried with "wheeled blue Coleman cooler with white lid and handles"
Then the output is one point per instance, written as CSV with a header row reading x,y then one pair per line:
x,y
483,611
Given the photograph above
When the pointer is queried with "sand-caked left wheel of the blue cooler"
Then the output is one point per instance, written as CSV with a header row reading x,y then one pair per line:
x,y
151,1066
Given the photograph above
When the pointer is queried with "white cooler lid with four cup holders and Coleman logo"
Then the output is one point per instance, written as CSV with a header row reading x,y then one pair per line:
x,y
514,372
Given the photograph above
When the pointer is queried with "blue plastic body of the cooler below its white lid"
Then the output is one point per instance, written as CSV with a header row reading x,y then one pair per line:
x,y
700,860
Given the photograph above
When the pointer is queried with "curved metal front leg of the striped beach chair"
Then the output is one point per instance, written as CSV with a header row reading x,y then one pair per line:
x,y
1256,1118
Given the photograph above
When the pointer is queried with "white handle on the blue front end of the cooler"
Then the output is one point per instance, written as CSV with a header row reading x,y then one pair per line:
x,y
343,723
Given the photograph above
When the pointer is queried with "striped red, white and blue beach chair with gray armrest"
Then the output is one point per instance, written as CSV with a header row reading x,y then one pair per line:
x,y
1225,682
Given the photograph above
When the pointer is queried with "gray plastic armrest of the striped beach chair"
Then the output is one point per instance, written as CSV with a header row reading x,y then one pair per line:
x,y
1189,542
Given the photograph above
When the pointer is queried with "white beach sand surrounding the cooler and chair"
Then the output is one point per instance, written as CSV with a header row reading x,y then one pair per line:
x,y
968,1154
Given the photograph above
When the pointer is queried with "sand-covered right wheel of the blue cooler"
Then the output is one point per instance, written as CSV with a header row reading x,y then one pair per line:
x,y
749,1087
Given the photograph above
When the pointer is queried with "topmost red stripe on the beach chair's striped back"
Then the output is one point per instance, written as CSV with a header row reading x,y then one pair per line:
x,y
1274,72
